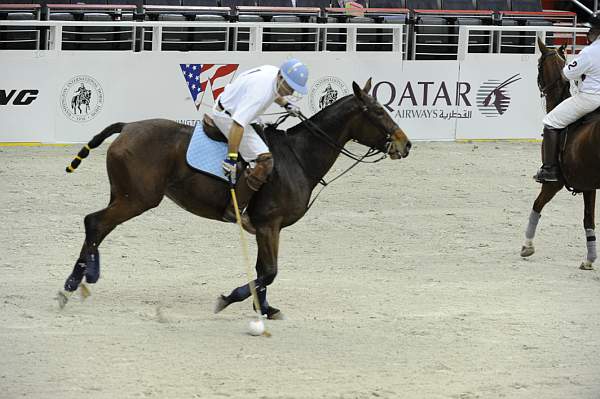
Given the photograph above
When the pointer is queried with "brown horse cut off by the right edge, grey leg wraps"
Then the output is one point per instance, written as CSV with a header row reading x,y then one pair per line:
x,y
579,160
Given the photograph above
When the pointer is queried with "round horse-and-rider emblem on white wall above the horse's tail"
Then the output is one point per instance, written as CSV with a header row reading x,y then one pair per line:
x,y
82,98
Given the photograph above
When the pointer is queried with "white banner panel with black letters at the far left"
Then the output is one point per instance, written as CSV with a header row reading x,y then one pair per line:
x,y
27,94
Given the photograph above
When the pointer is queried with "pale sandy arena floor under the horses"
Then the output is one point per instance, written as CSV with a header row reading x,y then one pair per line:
x,y
404,281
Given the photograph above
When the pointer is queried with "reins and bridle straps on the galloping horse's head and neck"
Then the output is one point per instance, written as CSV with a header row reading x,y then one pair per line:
x,y
315,130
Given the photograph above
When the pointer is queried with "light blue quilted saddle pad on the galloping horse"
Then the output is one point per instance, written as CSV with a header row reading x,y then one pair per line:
x,y
206,154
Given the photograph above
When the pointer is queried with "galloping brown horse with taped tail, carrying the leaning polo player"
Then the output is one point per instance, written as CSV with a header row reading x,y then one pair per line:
x,y
147,161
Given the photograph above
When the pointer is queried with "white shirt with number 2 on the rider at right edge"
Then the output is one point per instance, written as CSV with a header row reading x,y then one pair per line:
x,y
586,63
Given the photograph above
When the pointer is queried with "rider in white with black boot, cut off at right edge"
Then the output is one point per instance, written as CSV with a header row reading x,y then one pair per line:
x,y
586,66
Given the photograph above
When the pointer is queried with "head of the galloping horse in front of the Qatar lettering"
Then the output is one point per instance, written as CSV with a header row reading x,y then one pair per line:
x,y
376,128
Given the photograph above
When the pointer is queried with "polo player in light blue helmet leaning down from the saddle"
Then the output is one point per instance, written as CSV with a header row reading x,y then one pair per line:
x,y
240,104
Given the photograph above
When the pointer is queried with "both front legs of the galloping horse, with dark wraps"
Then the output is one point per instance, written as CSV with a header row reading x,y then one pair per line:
x,y
267,239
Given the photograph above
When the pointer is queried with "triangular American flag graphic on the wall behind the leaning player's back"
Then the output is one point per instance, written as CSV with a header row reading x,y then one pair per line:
x,y
200,77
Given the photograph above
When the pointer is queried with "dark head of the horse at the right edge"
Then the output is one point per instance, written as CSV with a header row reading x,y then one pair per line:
x,y
551,82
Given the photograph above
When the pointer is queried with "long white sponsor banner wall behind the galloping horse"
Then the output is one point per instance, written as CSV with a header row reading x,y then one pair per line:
x,y
67,97
